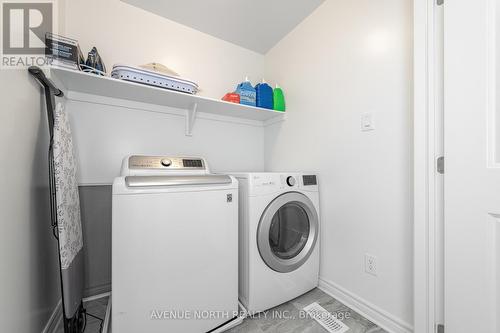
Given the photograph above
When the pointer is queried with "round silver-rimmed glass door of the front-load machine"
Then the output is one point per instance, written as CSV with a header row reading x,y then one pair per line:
x,y
288,231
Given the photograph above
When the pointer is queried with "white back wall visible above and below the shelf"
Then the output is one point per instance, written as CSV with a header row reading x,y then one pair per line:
x,y
126,34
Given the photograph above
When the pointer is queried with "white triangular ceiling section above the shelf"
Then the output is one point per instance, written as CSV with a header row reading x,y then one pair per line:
x,y
253,24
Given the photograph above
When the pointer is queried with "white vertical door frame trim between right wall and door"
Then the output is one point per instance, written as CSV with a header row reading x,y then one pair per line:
x,y
424,152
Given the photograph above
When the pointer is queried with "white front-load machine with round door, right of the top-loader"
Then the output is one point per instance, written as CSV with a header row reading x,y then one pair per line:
x,y
278,237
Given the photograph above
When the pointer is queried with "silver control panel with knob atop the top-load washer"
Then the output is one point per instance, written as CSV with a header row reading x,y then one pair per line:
x,y
164,162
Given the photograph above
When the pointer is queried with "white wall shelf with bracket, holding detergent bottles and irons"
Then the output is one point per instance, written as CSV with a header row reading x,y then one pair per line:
x,y
81,84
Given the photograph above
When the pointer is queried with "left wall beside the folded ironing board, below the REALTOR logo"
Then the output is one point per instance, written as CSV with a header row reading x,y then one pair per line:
x,y
29,278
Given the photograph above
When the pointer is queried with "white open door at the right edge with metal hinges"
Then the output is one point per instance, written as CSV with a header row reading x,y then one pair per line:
x,y
472,172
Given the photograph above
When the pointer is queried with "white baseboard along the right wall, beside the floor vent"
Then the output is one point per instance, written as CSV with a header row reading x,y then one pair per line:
x,y
370,311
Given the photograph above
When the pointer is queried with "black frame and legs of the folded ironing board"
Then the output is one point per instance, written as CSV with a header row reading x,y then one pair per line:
x,y
76,322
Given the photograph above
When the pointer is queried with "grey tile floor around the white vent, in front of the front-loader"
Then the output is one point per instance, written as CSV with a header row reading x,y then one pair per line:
x,y
278,319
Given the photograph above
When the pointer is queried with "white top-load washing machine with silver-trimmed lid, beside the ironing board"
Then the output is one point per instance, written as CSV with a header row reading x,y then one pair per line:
x,y
174,246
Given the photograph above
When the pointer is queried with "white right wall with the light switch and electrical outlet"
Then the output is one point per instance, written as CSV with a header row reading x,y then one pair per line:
x,y
347,58
